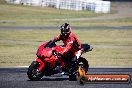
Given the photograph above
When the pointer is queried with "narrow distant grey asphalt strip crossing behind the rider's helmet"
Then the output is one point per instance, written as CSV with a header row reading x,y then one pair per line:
x,y
73,27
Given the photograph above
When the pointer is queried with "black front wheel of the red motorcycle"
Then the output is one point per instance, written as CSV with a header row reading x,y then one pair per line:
x,y
33,73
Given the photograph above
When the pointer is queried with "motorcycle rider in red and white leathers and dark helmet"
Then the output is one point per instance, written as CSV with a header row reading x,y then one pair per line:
x,y
70,41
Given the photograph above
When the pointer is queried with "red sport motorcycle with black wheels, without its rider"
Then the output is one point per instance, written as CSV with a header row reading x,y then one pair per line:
x,y
49,60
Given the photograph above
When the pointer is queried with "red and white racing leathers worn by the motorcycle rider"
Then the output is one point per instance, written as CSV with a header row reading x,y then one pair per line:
x,y
71,43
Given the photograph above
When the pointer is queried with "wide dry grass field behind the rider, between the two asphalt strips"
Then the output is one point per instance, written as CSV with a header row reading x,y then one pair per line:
x,y
18,47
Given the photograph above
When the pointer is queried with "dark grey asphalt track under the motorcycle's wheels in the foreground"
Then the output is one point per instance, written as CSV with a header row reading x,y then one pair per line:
x,y
17,78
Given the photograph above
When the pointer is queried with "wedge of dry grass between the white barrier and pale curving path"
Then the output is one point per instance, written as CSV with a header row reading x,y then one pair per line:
x,y
38,15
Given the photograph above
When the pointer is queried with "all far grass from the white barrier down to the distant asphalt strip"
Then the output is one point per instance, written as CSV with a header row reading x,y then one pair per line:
x,y
18,15
